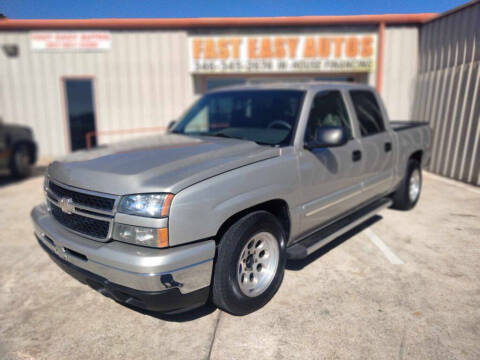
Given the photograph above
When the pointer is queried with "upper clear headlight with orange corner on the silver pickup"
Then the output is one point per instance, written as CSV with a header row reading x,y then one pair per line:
x,y
149,205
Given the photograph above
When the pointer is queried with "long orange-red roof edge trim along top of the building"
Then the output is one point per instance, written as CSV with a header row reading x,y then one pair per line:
x,y
183,23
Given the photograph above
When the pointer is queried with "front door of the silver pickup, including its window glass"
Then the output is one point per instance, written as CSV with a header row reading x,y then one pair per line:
x,y
331,177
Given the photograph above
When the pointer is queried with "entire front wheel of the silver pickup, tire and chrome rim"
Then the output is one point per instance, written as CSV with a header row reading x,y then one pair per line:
x,y
237,264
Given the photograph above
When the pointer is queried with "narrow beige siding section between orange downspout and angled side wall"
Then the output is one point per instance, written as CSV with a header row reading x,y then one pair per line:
x,y
399,70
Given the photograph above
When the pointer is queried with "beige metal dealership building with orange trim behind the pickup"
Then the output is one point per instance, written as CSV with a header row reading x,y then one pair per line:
x,y
77,82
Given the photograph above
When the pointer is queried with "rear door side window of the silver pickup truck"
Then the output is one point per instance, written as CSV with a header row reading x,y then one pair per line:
x,y
368,112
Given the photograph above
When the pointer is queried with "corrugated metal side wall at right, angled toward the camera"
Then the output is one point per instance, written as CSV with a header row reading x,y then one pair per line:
x,y
447,92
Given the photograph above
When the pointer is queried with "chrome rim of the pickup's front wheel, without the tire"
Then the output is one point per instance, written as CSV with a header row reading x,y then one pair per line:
x,y
258,264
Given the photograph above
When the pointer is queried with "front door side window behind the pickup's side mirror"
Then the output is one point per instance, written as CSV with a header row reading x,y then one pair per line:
x,y
328,109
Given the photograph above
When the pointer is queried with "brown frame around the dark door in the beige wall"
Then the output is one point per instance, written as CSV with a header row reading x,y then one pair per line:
x,y
64,105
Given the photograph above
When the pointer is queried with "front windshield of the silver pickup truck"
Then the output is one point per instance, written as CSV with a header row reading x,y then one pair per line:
x,y
264,116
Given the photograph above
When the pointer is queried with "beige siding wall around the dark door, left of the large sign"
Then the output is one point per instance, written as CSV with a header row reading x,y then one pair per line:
x,y
143,81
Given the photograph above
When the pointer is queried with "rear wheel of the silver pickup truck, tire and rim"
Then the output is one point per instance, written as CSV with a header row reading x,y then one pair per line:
x,y
406,197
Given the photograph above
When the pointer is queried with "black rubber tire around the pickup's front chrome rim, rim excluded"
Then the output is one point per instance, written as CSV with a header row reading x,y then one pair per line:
x,y
232,243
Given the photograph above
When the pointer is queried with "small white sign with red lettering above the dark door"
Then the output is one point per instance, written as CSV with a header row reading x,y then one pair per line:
x,y
70,41
